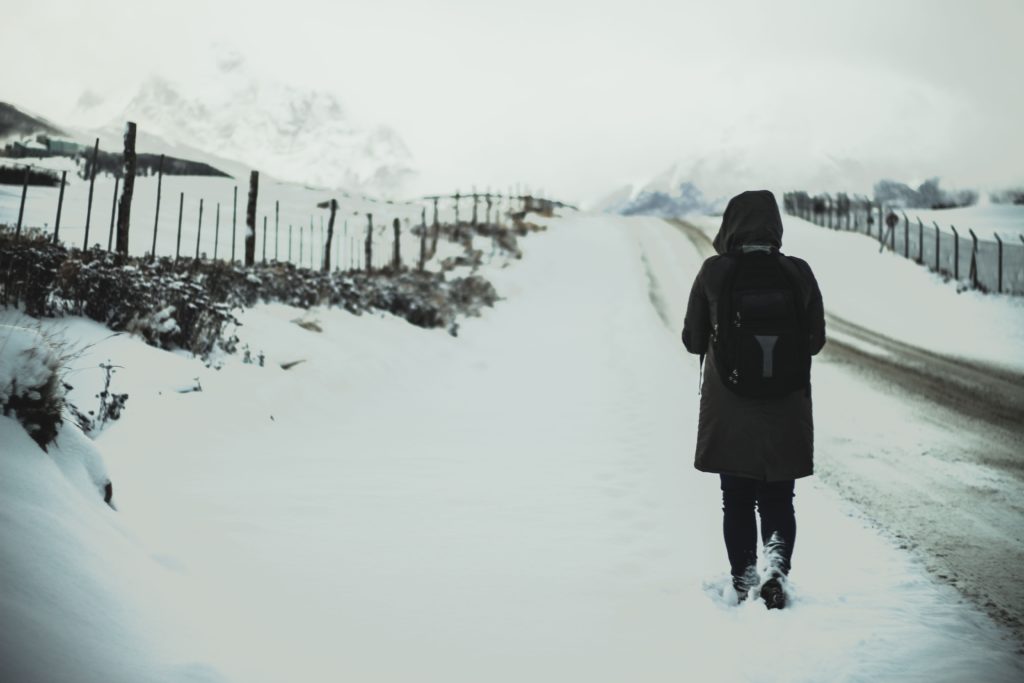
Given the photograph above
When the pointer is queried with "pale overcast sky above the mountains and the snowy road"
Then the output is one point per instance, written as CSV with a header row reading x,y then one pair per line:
x,y
580,98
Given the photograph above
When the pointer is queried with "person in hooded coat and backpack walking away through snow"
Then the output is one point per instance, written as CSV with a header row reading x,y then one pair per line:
x,y
758,317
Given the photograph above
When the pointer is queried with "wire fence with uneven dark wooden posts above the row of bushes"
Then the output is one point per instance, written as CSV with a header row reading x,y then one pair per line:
x,y
204,218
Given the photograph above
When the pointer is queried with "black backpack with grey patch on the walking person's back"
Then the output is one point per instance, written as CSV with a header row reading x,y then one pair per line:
x,y
761,337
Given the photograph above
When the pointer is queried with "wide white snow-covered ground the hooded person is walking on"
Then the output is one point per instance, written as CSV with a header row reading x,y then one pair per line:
x,y
518,503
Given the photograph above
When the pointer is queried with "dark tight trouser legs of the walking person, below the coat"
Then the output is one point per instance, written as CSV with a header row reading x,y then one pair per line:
x,y
775,502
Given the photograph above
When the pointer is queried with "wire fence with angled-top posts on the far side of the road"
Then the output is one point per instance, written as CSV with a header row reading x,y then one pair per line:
x,y
990,266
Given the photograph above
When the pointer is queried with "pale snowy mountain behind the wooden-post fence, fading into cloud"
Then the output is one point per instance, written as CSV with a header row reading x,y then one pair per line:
x,y
291,134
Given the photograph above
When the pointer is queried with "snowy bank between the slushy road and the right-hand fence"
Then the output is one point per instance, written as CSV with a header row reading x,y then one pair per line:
x,y
889,294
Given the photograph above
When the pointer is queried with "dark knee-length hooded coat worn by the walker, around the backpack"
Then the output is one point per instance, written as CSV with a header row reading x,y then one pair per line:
x,y
771,440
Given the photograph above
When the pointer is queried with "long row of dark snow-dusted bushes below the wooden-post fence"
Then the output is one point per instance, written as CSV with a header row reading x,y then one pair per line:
x,y
192,305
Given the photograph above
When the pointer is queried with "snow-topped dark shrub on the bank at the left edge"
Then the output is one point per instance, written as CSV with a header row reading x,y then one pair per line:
x,y
31,389
